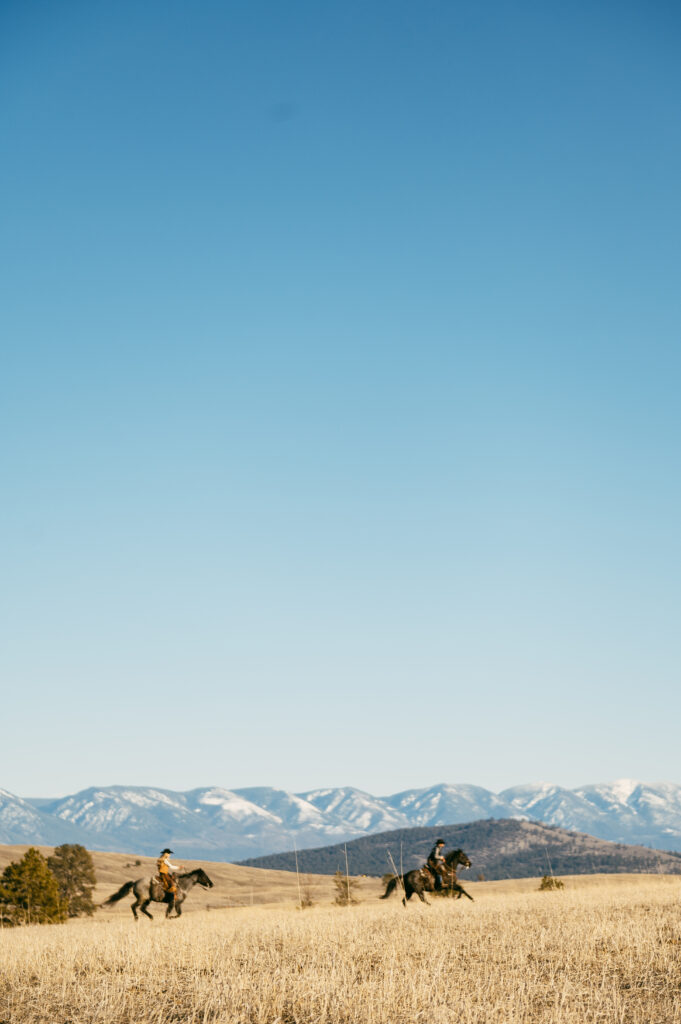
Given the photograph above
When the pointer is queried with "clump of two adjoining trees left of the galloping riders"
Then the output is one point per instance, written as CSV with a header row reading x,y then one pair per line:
x,y
37,890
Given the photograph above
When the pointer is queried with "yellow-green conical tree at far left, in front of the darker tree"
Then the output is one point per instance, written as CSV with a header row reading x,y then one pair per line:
x,y
29,892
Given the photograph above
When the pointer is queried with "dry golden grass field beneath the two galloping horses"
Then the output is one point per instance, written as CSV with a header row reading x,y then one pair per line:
x,y
605,950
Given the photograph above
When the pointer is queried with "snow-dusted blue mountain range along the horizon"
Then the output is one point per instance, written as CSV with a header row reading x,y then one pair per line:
x,y
230,825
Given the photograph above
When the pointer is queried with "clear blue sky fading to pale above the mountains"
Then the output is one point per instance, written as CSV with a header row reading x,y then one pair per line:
x,y
339,391
